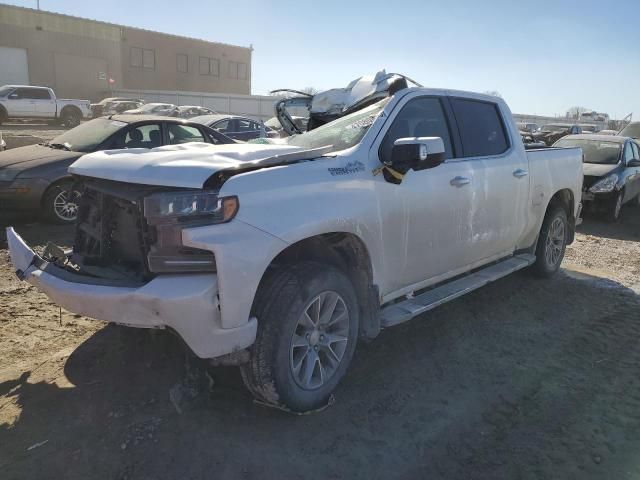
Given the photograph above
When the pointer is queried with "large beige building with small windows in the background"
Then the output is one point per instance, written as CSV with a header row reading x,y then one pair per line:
x,y
83,58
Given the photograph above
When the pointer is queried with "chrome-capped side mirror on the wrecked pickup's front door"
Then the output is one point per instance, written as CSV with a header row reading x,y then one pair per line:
x,y
417,153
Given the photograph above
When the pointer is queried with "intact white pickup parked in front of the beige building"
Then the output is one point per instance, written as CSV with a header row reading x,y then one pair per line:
x,y
40,103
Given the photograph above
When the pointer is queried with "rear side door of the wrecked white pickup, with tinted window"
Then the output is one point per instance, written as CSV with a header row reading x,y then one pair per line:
x,y
499,179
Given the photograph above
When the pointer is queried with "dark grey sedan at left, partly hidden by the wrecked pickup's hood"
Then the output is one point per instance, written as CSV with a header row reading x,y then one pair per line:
x,y
35,178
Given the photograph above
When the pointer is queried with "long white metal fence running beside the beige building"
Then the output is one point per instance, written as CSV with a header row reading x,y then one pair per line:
x,y
255,106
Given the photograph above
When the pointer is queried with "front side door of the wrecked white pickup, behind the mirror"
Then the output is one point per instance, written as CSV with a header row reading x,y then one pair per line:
x,y
426,220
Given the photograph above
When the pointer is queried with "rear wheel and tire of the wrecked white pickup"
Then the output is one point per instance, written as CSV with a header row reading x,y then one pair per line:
x,y
552,242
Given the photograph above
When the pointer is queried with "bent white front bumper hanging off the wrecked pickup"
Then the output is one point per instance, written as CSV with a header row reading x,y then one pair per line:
x,y
186,303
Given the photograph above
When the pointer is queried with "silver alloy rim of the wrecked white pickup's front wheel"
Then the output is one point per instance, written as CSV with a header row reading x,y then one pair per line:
x,y
319,341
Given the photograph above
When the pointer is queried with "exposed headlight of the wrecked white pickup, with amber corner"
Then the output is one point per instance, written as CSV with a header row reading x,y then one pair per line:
x,y
182,206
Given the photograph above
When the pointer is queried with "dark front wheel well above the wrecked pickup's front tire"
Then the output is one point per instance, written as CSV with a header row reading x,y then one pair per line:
x,y
346,252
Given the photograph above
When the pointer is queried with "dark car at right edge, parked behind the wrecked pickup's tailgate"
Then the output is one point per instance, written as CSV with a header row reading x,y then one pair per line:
x,y
611,171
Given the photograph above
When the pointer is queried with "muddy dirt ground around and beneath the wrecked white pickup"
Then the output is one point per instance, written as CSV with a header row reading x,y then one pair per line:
x,y
523,378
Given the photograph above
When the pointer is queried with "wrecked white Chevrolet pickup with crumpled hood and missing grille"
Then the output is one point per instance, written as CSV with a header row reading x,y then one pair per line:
x,y
278,257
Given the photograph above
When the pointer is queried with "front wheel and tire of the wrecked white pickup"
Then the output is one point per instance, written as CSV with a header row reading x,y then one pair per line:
x,y
292,363
